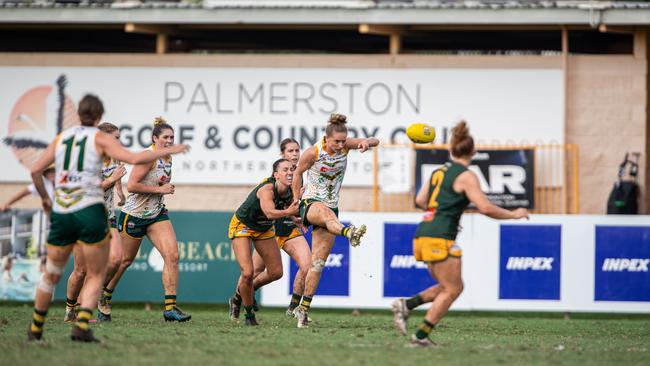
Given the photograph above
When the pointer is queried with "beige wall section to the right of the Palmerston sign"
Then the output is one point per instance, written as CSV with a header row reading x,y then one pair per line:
x,y
606,117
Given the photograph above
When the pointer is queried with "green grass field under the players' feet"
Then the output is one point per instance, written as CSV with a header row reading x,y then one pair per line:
x,y
336,337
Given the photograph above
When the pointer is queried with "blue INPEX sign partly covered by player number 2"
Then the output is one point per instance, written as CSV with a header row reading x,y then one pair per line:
x,y
403,275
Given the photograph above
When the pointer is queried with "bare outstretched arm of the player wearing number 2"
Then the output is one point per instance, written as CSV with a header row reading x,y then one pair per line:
x,y
468,183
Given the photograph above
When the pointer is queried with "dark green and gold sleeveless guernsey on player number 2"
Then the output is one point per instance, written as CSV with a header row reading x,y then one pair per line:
x,y
445,206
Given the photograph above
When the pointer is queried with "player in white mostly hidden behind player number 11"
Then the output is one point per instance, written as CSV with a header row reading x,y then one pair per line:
x,y
112,173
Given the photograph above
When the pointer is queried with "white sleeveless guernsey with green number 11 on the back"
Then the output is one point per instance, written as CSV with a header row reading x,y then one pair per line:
x,y
78,166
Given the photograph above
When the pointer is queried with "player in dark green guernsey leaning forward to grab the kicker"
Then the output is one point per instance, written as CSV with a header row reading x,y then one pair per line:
x,y
253,220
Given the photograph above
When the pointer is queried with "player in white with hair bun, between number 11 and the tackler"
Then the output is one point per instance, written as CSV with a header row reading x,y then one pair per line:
x,y
144,213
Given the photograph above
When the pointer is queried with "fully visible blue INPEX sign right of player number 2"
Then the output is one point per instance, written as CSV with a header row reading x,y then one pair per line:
x,y
529,265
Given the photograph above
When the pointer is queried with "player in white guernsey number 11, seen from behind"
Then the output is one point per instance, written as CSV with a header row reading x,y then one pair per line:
x,y
78,215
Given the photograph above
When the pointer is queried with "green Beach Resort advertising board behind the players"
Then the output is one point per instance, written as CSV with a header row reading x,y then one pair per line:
x,y
208,270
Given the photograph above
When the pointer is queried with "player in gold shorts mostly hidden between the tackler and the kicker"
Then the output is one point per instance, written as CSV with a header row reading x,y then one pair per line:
x,y
289,235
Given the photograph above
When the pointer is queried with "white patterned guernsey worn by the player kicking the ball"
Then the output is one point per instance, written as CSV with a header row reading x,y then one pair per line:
x,y
325,176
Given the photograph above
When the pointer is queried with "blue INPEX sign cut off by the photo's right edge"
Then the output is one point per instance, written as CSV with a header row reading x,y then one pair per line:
x,y
622,263
